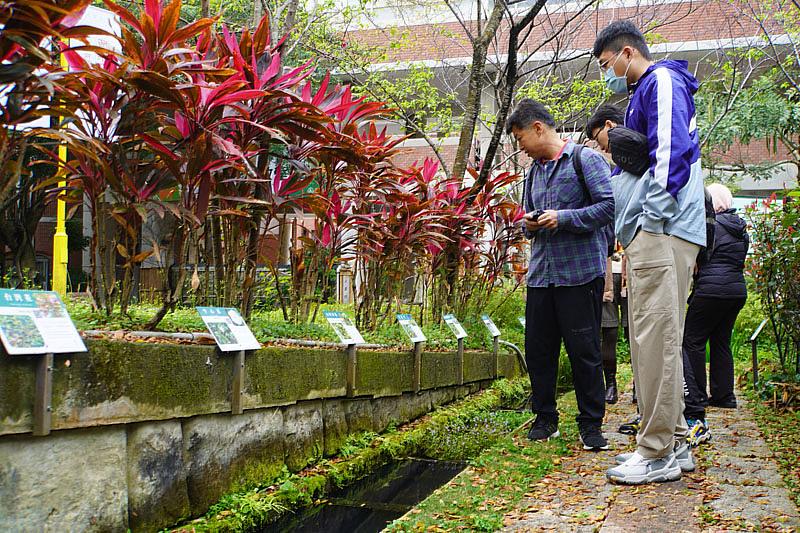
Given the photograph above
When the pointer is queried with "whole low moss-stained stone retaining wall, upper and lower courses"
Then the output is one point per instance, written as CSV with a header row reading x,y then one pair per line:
x,y
143,434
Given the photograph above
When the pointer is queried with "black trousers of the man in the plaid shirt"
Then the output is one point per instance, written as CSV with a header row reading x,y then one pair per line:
x,y
571,314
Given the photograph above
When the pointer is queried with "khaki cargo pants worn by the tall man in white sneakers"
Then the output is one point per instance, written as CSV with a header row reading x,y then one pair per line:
x,y
659,275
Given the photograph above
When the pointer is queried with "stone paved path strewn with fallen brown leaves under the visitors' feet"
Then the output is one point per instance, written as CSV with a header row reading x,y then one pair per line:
x,y
736,487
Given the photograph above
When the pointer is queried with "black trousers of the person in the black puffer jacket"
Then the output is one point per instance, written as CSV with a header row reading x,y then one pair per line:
x,y
708,320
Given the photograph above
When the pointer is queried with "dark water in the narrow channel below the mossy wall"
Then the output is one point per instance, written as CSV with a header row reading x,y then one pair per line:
x,y
370,504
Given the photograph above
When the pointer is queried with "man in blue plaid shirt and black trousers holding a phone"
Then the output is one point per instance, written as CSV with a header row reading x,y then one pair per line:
x,y
564,218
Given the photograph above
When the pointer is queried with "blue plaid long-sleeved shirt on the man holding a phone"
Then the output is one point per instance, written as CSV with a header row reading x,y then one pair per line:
x,y
575,252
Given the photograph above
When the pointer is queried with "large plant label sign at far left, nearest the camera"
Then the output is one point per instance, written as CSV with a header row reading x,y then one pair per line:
x,y
36,322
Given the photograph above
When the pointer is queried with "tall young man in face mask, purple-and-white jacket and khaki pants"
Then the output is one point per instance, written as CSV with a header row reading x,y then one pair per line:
x,y
660,221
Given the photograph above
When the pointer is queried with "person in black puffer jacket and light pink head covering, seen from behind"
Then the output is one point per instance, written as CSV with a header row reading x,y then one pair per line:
x,y
719,294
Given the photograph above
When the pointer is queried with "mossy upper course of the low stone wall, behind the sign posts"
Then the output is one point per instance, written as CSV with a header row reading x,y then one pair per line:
x,y
121,382
